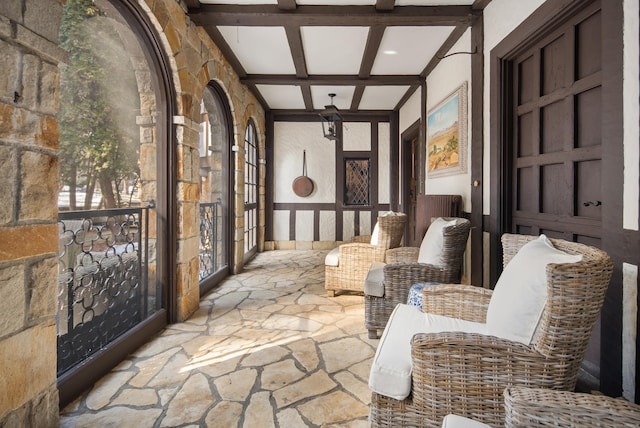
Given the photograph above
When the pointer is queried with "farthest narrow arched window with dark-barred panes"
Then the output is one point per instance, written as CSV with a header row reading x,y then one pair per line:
x,y
250,191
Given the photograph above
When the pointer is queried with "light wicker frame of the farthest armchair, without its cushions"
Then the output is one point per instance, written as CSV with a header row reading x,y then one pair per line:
x,y
356,257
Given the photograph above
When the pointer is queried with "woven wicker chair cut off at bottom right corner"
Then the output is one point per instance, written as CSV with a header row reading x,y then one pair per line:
x,y
529,407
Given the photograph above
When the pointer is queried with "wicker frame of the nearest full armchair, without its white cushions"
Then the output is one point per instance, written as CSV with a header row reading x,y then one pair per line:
x,y
466,373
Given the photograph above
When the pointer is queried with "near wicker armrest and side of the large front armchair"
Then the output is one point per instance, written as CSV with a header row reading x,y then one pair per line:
x,y
466,374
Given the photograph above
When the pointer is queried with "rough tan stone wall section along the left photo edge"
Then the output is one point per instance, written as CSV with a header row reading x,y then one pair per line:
x,y
29,58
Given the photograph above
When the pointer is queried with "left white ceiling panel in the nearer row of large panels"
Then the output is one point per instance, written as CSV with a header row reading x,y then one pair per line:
x,y
260,50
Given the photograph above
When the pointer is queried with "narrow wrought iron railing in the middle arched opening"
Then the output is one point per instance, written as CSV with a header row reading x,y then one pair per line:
x,y
210,238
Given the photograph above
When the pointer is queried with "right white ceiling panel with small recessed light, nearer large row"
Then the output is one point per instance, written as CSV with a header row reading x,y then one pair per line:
x,y
408,50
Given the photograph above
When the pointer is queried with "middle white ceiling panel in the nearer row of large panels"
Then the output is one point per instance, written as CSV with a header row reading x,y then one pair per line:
x,y
334,50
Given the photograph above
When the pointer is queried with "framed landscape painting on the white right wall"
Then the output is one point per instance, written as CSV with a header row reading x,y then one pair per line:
x,y
447,135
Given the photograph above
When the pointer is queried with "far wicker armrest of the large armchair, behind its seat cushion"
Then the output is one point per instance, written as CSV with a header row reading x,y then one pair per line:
x,y
457,301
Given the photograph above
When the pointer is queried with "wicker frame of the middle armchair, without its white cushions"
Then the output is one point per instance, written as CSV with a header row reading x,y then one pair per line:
x,y
403,270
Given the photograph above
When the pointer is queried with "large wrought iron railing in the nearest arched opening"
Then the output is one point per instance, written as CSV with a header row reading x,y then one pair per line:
x,y
103,286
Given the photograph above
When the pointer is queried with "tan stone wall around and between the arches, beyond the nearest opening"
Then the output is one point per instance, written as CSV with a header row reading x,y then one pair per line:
x,y
196,61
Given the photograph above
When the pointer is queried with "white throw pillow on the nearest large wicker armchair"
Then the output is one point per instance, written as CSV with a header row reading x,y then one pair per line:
x,y
520,294
